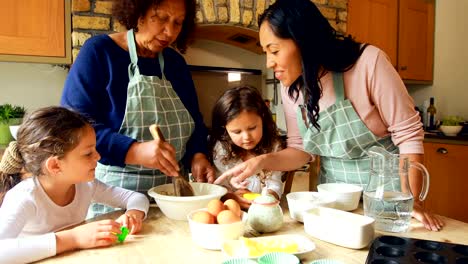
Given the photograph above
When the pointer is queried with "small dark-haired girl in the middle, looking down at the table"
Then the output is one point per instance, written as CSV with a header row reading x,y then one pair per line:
x,y
243,128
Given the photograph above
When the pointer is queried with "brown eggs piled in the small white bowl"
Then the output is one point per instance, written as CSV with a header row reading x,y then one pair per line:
x,y
218,212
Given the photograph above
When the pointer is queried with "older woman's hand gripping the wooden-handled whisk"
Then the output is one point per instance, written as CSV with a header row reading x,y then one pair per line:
x,y
155,154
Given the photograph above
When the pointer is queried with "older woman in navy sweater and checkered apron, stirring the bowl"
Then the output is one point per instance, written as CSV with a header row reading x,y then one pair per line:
x,y
127,81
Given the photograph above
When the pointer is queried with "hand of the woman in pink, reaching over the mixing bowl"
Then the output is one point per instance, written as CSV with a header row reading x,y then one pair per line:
x,y
242,171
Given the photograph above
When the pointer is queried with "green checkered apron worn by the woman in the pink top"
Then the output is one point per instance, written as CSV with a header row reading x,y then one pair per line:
x,y
342,141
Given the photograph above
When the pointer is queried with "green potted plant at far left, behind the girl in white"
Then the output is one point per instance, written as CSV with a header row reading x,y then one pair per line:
x,y
10,115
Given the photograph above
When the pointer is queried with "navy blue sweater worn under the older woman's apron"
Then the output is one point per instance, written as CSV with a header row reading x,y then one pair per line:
x,y
96,86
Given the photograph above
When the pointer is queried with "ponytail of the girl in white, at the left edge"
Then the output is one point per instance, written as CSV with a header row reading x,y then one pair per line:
x,y
10,168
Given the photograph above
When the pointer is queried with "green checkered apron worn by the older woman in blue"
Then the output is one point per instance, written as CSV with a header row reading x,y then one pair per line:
x,y
150,100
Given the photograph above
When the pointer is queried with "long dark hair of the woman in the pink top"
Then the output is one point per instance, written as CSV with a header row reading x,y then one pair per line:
x,y
322,48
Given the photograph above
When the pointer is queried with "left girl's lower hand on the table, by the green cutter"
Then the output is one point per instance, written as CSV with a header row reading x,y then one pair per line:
x,y
96,234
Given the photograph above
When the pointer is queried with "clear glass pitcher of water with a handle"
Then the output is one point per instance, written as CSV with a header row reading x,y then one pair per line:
x,y
387,197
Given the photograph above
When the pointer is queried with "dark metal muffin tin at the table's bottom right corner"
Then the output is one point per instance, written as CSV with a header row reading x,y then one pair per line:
x,y
394,250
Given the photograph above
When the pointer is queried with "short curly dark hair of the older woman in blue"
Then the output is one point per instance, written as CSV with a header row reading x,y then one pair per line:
x,y
127,12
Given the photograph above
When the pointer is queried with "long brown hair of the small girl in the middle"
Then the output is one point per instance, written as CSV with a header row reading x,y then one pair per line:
x,y
229,106
